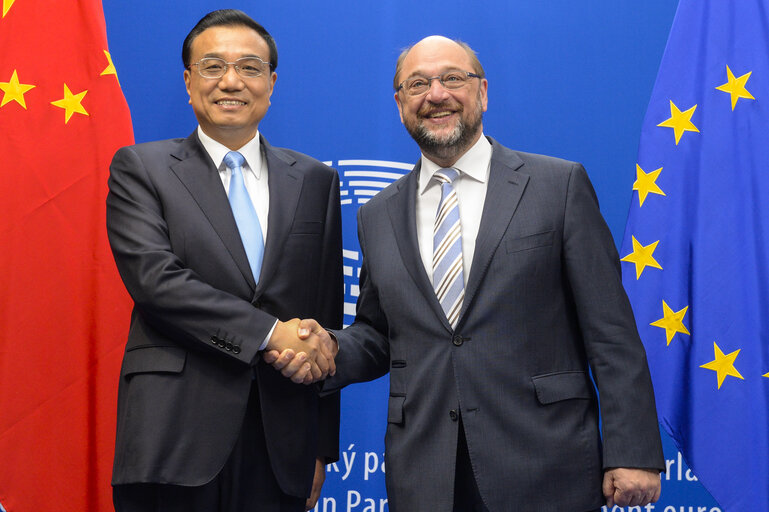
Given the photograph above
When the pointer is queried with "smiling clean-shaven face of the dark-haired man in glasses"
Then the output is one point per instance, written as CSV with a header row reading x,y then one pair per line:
x,y
229,108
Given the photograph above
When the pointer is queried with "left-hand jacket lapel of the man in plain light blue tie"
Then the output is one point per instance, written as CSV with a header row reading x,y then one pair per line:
x,y
197,172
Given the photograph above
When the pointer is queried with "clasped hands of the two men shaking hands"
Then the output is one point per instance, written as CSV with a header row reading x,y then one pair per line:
x,y
302,351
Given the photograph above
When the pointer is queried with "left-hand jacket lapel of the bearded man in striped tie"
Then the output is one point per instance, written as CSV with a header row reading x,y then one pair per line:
x,y
401,207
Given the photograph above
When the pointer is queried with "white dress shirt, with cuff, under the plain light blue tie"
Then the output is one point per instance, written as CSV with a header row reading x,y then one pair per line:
x,y
254,176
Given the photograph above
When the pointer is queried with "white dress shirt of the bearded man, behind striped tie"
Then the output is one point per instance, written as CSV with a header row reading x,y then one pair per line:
x,y
470,186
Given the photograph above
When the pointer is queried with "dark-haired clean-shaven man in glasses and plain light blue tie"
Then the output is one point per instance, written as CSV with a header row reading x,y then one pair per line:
x,y
221,239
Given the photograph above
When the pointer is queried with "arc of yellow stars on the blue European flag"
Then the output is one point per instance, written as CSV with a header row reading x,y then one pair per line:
x,y
642,256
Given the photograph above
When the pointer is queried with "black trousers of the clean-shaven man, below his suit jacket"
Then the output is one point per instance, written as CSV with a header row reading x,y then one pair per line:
x,y
245,483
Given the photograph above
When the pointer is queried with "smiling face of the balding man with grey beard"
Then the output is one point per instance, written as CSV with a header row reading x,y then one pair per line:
x,y
444,123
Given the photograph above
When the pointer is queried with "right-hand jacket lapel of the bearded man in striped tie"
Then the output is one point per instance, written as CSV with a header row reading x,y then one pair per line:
x,y
505,189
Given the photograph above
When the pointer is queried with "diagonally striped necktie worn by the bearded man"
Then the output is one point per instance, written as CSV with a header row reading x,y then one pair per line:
x,y
448,277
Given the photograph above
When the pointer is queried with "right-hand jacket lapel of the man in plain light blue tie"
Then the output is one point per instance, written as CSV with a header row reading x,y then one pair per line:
x,y
285,187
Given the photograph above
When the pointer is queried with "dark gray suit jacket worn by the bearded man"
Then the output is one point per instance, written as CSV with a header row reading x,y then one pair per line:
x,y
544,304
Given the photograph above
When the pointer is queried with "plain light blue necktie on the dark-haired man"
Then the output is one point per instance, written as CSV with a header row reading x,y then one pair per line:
x,y
245,215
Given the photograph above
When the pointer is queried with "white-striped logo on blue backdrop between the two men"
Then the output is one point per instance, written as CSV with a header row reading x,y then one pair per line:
x,y
360,180
